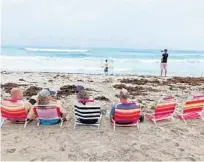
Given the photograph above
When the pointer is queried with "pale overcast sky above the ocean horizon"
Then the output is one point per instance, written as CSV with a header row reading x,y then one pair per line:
x,y
140,24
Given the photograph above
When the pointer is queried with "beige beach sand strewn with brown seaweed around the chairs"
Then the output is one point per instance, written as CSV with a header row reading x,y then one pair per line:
x,y
169,141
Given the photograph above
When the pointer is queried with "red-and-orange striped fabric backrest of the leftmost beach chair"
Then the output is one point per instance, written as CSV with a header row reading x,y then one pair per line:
x,y
13,113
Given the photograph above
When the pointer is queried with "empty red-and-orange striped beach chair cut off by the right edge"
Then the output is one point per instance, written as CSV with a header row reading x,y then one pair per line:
x,y
193,109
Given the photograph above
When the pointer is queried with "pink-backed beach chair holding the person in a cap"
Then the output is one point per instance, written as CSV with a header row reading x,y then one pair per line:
x,y
48,115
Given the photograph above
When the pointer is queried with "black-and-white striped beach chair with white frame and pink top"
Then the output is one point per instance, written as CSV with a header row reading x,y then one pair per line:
x,y
87,113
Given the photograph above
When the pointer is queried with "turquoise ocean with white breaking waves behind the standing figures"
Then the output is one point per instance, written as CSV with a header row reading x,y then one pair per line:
x,y
90,61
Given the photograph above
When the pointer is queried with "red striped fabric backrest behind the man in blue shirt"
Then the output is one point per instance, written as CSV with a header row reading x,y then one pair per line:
x,y
127,115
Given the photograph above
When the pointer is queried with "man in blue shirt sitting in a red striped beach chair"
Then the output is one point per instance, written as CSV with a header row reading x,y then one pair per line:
x,y
124,104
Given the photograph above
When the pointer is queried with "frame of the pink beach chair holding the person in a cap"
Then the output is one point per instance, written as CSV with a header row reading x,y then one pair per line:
x,y
51,107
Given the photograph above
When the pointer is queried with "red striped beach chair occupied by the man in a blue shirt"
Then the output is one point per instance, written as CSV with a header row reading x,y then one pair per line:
x,y
126,117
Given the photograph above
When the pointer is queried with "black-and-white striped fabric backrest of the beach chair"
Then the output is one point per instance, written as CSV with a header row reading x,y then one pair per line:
x,y
87,112
